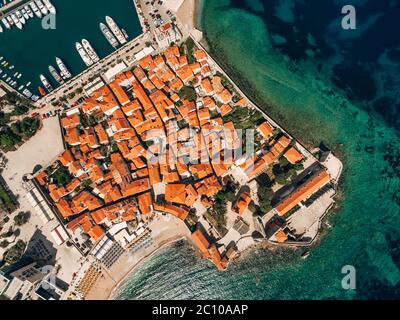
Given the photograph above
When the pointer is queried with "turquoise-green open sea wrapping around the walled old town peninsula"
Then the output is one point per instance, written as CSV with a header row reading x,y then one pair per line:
x,y
302,97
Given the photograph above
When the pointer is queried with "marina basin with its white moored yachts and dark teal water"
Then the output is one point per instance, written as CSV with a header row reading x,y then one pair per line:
x,y
61,52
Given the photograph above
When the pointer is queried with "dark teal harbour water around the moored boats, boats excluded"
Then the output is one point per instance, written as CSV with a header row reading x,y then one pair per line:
x,y
32,49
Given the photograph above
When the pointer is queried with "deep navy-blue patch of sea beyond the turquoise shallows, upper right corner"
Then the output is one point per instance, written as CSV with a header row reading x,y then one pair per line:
x,y
364,62
